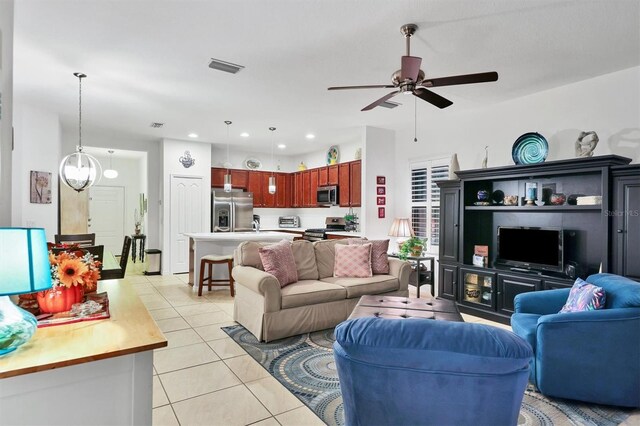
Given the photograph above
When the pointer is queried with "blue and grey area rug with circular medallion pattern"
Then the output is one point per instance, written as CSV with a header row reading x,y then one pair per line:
x,y
304,364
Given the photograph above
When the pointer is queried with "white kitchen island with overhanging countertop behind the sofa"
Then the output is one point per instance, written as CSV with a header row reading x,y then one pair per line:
x,y
223,243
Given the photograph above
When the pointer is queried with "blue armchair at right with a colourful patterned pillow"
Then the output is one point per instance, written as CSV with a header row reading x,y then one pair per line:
x,y
591,356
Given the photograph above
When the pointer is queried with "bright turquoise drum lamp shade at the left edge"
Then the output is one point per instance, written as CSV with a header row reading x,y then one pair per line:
x,y
24,261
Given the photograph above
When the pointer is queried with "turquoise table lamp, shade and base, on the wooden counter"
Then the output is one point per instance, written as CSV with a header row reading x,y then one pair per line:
x,y
24,268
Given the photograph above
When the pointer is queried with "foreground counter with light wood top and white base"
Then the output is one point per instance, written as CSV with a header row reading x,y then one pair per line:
x,y
99,364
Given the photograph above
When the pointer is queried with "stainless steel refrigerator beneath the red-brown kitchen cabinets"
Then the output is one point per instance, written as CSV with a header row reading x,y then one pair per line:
x,y
231,211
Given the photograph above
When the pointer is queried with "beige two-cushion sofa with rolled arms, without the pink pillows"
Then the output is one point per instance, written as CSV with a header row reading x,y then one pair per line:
x,y
317,301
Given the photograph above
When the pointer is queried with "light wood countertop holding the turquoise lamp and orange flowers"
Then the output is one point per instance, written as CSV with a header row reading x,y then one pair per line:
x,y
129,330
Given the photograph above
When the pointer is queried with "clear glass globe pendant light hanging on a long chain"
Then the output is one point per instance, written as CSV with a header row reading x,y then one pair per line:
x,y
79,171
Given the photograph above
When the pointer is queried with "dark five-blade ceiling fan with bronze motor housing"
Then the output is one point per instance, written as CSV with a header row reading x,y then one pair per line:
x,y
410,79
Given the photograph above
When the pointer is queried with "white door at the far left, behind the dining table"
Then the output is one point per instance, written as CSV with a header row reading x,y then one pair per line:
x,y
106,216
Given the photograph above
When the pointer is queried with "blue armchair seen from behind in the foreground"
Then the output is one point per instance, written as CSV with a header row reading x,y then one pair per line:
x,y
426,372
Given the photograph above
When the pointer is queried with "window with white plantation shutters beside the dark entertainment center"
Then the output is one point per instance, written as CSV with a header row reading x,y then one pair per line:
x,y
425,198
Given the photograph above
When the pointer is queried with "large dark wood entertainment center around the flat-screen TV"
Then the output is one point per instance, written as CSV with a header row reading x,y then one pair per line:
x,y
603,235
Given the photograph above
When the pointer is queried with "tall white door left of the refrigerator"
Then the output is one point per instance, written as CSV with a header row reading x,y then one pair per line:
x,y
186,216
